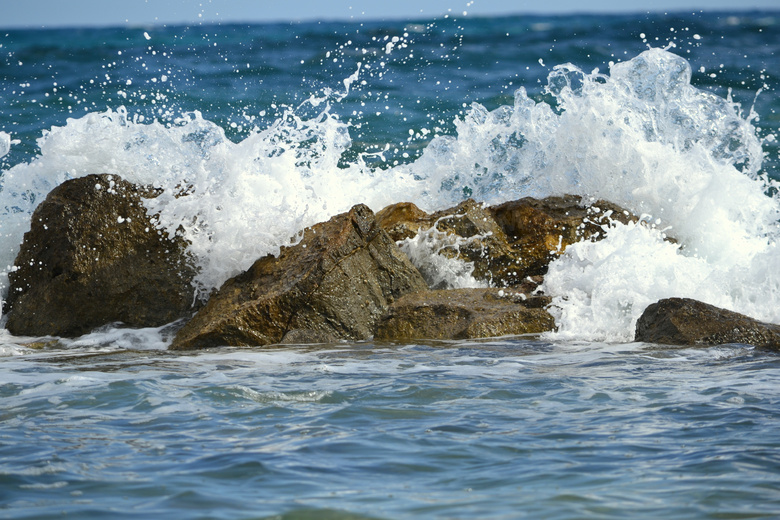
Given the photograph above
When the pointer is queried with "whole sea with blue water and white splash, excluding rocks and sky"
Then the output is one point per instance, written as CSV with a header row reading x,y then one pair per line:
x,y
275,127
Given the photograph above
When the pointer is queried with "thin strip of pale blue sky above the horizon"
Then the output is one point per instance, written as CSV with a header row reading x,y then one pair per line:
x,y
80,13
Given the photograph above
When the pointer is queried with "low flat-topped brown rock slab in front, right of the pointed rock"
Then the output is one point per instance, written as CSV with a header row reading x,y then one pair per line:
x,y
465,313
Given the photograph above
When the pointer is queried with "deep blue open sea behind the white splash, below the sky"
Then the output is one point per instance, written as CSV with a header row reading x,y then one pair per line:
x,y
231,71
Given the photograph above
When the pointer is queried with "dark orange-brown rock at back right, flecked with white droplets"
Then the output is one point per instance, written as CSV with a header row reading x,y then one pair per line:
x,y
542,228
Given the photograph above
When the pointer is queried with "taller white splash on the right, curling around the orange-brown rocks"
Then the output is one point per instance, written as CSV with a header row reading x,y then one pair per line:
x,y
644,138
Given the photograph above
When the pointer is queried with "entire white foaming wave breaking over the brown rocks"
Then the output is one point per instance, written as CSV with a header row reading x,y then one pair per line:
x,y
642,137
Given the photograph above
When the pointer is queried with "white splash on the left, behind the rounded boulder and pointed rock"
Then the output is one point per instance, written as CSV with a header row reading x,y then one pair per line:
x,y
233,202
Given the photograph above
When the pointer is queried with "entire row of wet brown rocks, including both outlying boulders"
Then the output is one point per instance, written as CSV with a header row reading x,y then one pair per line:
x,y
93,256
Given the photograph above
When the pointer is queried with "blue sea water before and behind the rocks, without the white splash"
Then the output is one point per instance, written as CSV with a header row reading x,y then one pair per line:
x,y
112,425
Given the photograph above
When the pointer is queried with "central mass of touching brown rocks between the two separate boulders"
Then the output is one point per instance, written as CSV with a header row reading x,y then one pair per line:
x,y
348,280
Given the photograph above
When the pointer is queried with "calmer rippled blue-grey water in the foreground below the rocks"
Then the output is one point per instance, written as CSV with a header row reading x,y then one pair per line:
x,y
498,429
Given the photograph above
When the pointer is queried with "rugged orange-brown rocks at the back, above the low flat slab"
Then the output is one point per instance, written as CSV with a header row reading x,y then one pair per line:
x,y
509,244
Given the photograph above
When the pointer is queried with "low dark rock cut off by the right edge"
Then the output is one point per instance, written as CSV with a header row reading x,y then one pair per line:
x,y
683,321
